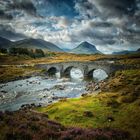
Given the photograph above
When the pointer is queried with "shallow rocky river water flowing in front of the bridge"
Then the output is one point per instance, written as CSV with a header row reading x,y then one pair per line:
x,y
37,90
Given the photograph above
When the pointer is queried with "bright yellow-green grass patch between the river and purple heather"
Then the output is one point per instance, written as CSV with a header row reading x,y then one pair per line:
x,y
71,112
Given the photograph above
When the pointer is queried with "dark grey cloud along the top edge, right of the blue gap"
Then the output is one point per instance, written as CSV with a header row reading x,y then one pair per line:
x,y
107,8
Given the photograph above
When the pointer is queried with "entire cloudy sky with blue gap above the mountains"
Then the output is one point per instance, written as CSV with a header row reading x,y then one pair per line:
x,y
110,25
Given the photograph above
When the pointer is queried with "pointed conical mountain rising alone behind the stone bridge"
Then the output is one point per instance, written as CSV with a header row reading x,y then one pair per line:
x,y
85,48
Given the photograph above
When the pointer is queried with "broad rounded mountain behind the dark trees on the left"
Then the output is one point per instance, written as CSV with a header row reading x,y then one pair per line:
x,y
37,44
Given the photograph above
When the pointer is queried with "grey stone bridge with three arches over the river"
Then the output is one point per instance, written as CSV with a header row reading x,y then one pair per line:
x,y
86,67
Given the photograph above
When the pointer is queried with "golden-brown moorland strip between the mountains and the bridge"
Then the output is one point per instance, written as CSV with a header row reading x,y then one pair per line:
x,y
65,57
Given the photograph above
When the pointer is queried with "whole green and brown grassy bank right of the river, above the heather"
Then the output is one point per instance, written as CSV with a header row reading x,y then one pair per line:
x,y
117,107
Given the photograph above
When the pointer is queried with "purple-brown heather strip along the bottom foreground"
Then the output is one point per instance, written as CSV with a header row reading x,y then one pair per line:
x,y
27,125
